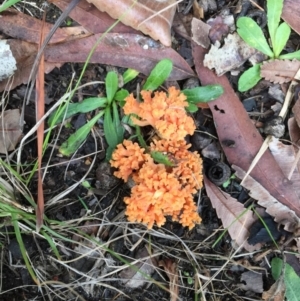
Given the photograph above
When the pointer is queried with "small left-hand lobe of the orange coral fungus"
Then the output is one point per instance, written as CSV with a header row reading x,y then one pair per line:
x,y
128,157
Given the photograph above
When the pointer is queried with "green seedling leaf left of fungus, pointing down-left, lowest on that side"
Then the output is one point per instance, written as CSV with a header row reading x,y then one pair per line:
x,y
75,140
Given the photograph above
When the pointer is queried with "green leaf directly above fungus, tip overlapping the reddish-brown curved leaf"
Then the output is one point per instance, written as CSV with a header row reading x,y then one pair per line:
x,y
158,75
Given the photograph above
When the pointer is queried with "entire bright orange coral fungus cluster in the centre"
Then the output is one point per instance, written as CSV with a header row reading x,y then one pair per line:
x,y
160,189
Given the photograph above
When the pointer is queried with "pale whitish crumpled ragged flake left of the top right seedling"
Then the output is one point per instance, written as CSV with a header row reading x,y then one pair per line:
x,y
232,55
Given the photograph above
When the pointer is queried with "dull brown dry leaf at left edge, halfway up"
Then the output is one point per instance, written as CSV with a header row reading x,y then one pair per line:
x,y
10,130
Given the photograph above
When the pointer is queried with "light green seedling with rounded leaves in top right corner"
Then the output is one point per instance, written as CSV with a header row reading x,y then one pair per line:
x,y
252,34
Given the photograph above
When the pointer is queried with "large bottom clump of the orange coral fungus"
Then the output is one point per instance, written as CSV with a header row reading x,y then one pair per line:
x,y
159,193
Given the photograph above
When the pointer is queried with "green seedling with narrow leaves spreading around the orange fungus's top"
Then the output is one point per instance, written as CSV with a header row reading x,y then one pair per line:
x,y
115,98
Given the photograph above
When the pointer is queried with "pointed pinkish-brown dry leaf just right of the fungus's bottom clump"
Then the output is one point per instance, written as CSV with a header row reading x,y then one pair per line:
x,y
232,214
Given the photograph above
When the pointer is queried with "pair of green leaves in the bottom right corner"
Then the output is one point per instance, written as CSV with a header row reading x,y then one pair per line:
x,y
291,279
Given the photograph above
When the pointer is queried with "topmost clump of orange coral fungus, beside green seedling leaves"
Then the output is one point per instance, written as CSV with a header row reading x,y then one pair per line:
x,y
165,112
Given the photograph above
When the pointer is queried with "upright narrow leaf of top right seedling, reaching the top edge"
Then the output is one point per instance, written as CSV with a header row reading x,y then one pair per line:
x,y
274,10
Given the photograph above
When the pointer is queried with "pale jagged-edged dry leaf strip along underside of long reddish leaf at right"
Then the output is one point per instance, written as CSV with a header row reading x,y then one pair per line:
x,y
281,213
